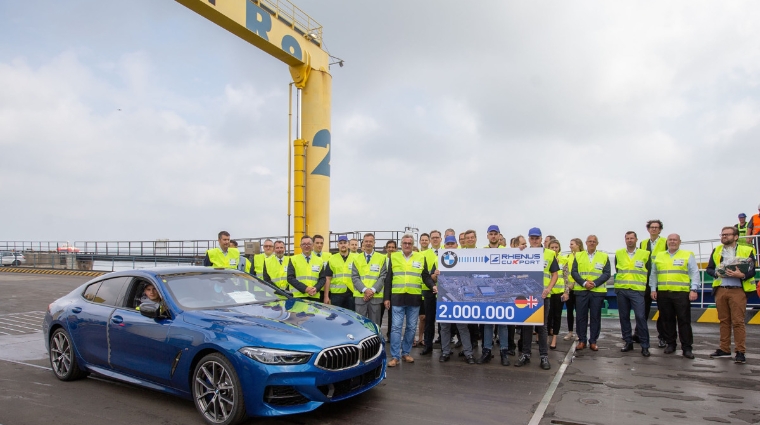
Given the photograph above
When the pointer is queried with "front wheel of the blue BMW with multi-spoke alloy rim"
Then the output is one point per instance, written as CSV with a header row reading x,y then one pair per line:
x,y
217,392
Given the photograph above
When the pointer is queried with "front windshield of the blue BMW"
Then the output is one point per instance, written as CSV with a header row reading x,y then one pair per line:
x,y
212,290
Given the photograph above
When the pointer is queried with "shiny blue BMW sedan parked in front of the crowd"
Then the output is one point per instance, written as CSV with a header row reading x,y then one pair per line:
x,y
233,344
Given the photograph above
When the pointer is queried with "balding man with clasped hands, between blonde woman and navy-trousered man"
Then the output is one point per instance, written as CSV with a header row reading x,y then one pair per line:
x,y
591,269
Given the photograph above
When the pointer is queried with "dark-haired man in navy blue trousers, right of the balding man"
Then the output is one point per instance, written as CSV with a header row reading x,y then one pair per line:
x,y
632,266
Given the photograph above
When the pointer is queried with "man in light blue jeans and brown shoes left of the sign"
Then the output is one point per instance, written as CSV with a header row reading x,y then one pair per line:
x,y
407,273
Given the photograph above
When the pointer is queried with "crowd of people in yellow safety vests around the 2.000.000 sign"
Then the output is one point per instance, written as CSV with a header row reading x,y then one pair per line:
x,y
403,283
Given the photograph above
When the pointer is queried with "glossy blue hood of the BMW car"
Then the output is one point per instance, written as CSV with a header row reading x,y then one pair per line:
x,y
285,324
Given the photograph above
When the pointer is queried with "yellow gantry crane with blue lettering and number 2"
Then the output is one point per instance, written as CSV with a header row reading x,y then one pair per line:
x,y
284,31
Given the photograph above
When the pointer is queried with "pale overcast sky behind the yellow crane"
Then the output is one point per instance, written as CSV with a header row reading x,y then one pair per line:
x,y
141,120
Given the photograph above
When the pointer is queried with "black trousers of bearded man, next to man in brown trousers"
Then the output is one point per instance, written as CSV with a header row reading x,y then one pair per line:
x,y
675,309
